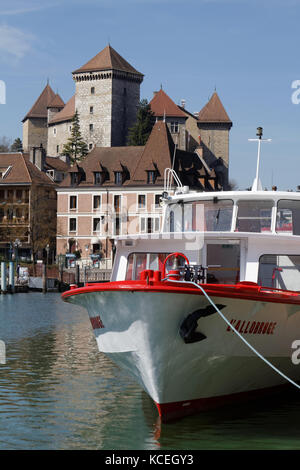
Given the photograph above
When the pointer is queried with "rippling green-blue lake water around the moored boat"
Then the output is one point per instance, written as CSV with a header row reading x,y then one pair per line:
x,y
58,392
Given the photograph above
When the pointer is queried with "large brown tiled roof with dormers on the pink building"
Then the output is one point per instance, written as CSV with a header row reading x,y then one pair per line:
x,y
157,155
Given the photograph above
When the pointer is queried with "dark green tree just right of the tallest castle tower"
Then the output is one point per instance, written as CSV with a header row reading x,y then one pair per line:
x,y
139,133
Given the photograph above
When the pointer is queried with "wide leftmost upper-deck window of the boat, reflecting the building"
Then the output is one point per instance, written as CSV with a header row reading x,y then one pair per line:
x,y
201,216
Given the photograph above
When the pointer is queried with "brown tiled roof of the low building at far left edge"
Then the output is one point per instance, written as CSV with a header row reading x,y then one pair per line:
x,y
22,171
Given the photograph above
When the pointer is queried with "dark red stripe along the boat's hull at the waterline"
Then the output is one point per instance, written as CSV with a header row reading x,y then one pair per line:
x,y
179,409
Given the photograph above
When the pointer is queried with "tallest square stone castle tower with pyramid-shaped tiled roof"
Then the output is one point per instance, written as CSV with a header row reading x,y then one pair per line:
x,y
106,98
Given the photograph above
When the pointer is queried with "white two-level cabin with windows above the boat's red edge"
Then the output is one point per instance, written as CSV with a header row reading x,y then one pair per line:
x,y
234,236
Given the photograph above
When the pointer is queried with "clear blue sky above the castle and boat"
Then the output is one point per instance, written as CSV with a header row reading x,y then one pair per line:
x,y
247,49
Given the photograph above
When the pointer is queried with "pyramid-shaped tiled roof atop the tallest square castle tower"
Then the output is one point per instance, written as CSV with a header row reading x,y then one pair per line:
x,y
107,59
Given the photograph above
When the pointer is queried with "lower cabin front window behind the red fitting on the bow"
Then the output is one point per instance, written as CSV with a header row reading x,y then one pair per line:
x,y
137,262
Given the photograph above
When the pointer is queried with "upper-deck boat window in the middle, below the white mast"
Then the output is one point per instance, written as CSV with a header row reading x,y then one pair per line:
x,y
254,216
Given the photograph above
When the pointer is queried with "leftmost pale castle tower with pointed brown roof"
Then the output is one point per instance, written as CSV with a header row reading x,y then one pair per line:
x,y
35,122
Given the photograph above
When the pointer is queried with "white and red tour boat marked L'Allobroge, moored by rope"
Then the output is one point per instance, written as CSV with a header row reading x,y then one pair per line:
x,y
207,311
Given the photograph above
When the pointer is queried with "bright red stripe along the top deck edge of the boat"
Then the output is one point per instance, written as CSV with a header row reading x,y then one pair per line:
x,y
242,290
